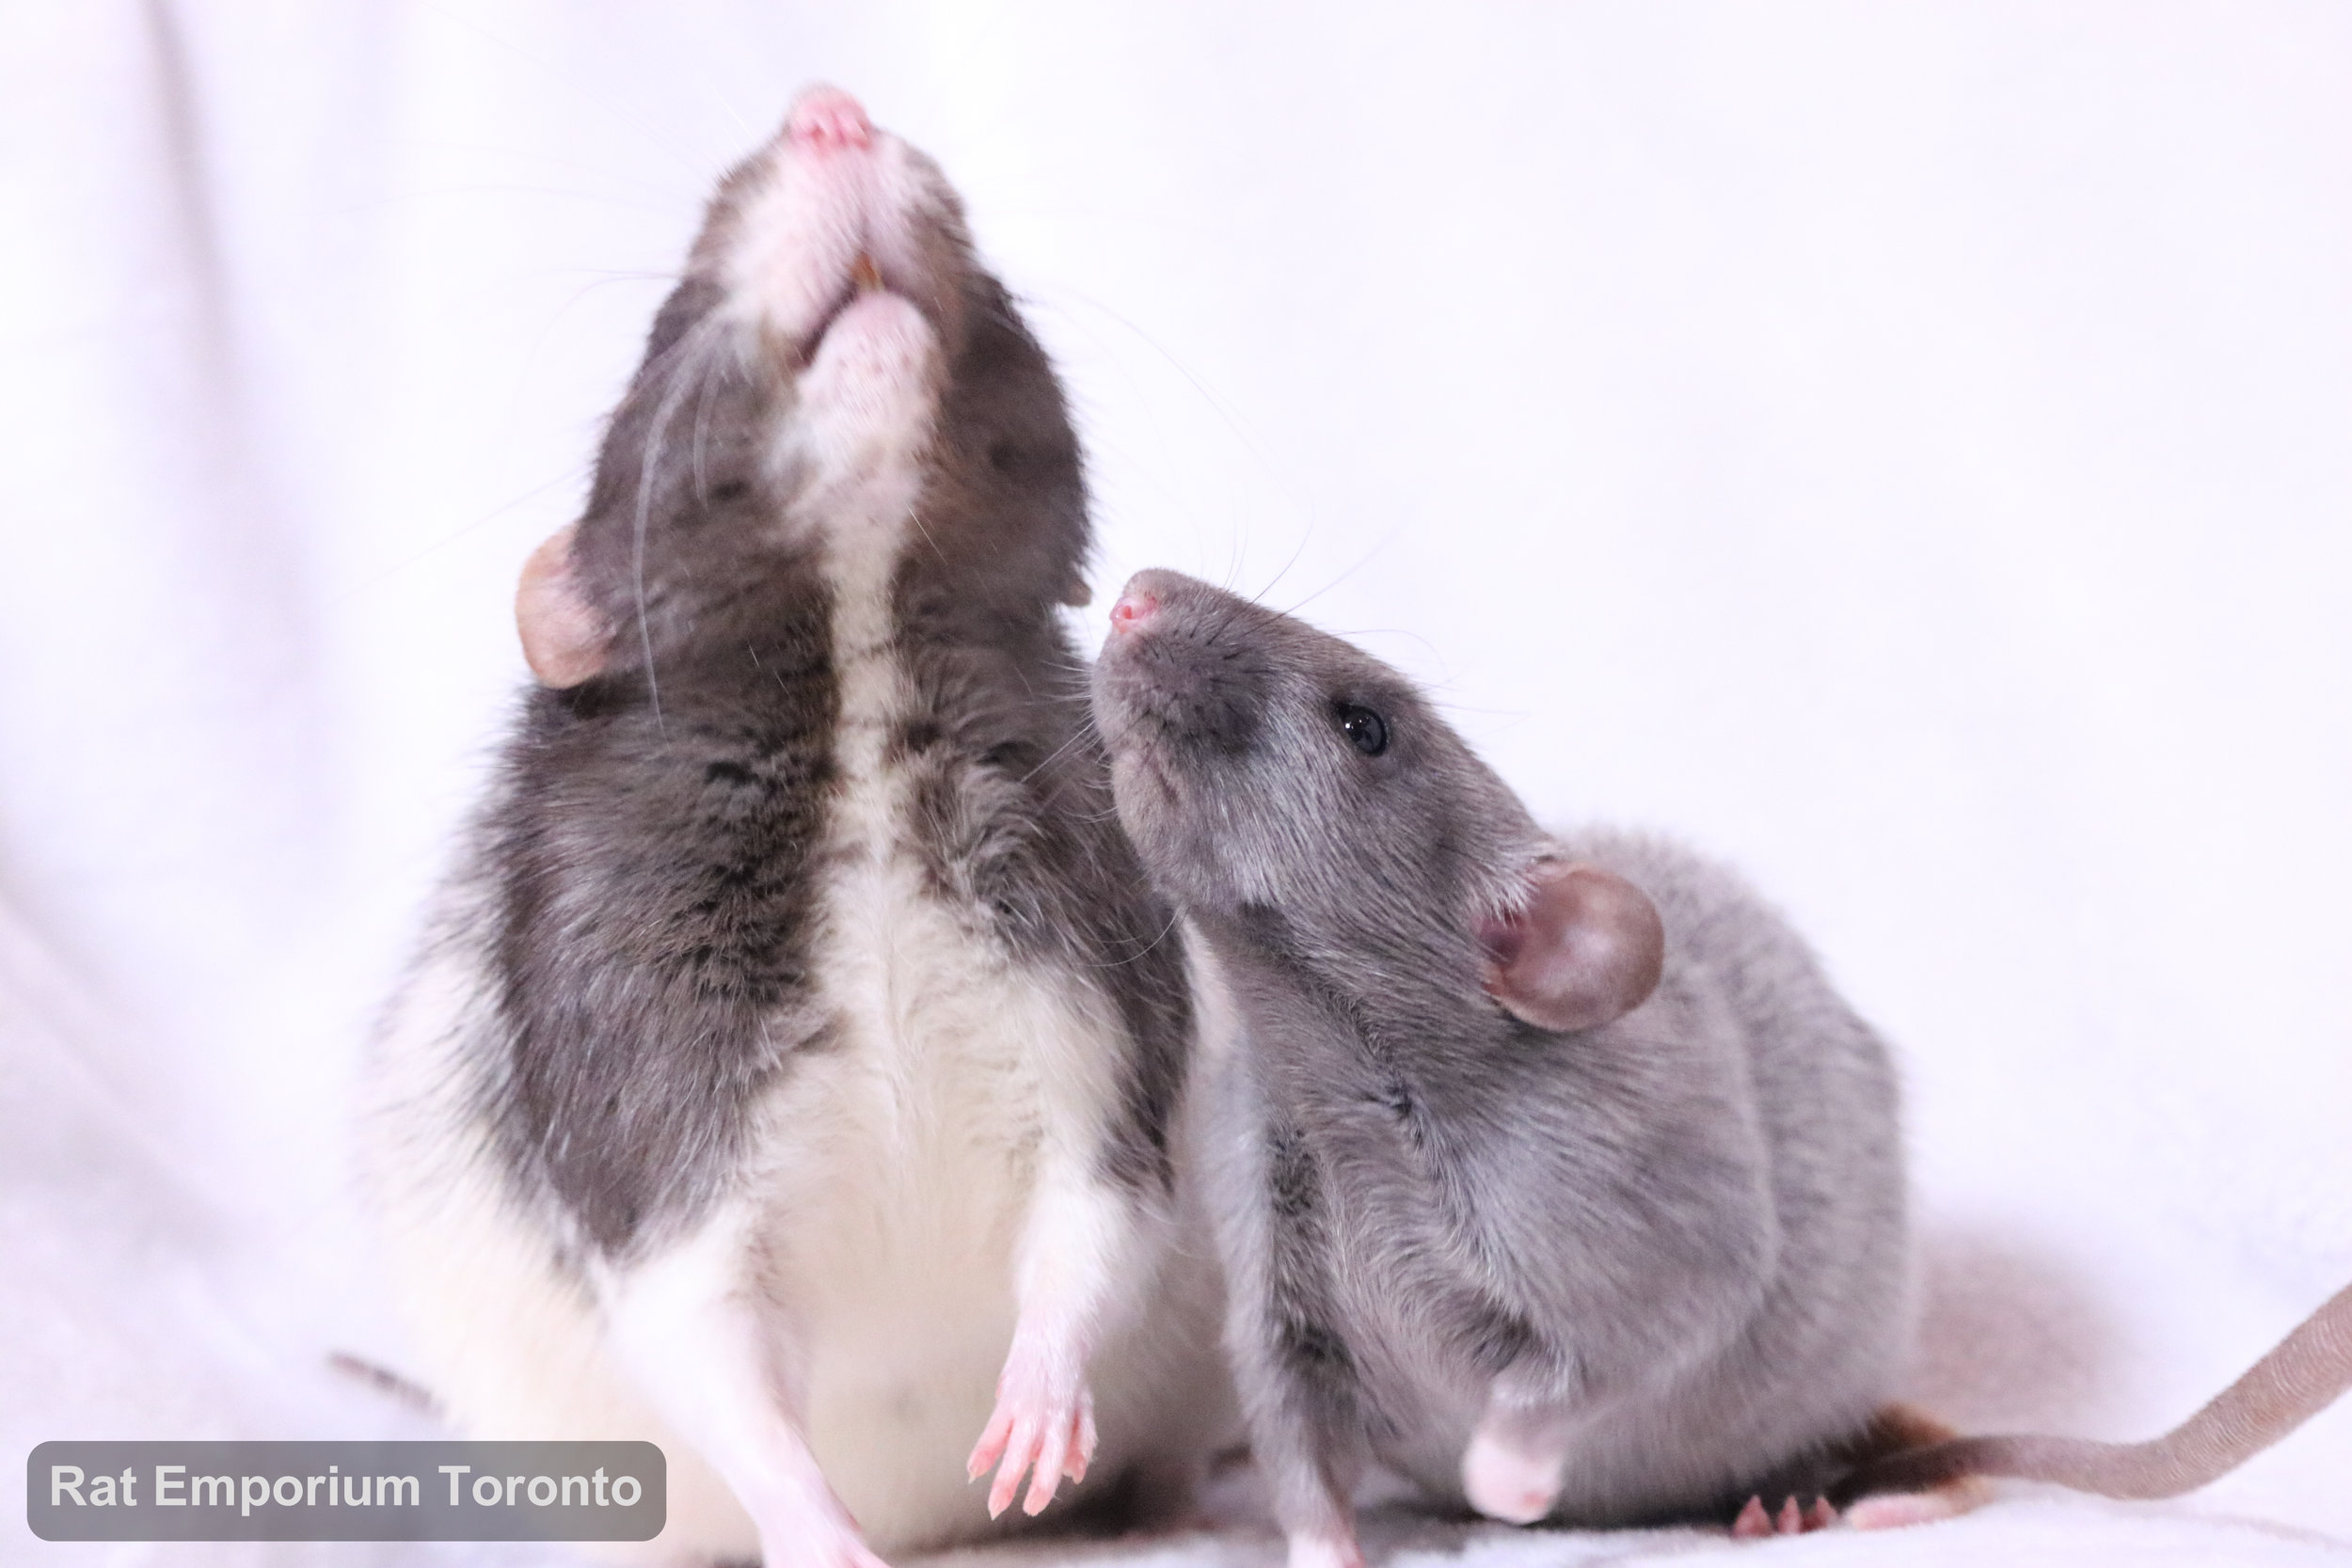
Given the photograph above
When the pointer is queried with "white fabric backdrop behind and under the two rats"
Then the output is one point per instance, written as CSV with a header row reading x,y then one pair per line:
x,y
1902,448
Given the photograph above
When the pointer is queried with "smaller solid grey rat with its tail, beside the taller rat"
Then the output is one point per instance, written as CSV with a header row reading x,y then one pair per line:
x,y
1549,1172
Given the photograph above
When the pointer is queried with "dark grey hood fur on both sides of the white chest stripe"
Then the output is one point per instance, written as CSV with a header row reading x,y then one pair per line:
x,y
653,855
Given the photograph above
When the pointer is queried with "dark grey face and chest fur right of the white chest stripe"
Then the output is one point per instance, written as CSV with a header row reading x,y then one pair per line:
x,y
1013,782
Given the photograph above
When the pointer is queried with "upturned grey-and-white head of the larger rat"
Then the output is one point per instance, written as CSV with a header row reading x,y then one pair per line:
x,y
836,377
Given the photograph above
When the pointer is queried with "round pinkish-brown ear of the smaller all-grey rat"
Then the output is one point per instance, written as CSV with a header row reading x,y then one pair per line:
x,y
1584,951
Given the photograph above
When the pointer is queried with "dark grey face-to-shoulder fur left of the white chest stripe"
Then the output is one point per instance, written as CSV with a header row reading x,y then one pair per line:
x,y
655,826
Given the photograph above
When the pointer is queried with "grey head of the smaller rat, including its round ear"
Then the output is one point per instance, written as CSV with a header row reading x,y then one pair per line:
x,y
1264,768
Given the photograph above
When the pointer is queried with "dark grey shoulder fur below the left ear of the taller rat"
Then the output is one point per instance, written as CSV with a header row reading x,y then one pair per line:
x,y
657,892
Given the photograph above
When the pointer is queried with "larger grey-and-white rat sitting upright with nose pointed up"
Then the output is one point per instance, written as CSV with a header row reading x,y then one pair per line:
x,y
796,1064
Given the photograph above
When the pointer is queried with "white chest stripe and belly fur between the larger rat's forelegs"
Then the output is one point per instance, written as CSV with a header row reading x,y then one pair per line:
x,y
897,1167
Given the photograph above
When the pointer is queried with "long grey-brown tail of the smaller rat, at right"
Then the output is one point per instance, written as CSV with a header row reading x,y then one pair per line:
x,y
2280,1393
